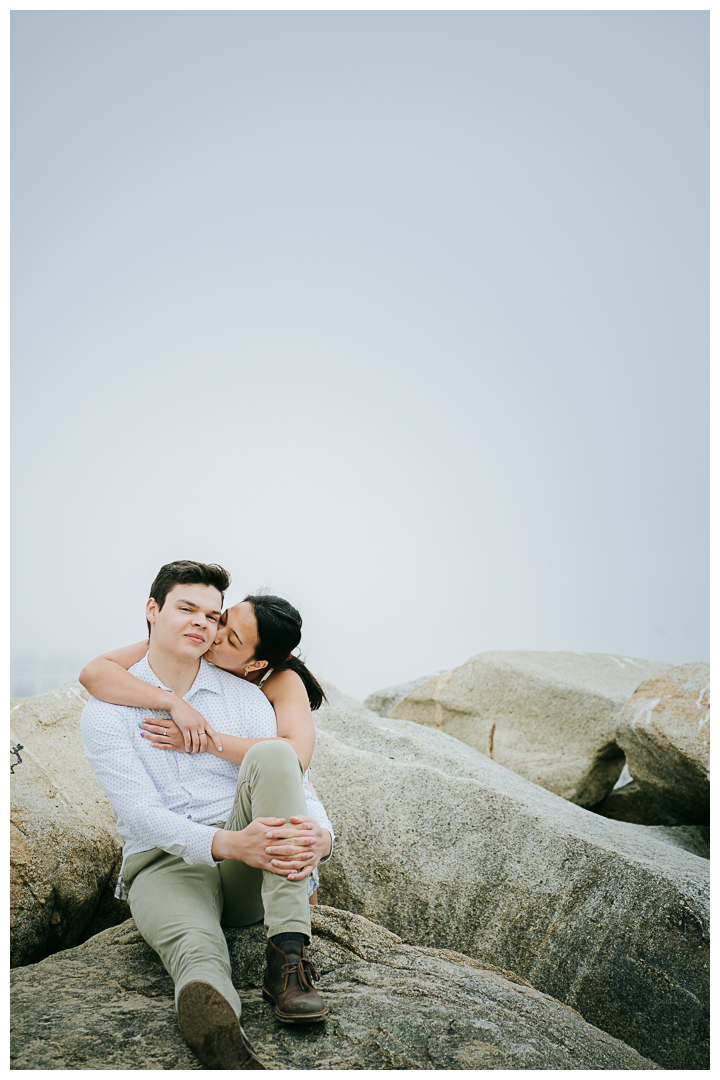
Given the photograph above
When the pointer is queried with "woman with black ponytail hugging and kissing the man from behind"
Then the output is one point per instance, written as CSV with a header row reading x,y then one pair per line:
x,y
255,642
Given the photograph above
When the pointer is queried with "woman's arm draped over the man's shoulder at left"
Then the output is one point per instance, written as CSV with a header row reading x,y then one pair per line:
x,y
108,679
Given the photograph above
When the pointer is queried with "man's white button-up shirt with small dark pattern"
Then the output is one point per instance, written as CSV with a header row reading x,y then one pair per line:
x,y
172,801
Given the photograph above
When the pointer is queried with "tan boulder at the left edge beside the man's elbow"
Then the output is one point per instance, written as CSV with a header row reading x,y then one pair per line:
x,y
65,852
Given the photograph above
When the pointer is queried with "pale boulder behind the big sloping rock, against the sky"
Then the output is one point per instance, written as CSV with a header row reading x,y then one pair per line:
x,y
549,717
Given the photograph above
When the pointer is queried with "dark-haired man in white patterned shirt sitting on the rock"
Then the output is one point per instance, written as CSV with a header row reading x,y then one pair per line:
x,y
198,835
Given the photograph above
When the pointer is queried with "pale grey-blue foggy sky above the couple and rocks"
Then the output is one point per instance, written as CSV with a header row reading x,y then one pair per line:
x,y
402,316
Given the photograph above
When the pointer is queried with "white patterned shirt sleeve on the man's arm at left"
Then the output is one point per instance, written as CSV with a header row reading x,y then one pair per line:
x,y
138,804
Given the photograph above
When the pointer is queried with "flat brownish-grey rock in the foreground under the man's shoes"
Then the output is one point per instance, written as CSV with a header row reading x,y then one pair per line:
x,y
108,1005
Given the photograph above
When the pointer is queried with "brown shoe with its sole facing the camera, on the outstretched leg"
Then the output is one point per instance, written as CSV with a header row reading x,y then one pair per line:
x,y
212,1030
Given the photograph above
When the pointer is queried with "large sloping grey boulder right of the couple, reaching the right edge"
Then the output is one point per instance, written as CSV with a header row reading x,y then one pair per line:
x,y
450,849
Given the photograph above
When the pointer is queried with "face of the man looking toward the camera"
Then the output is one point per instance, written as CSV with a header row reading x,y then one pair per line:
x,y
187,624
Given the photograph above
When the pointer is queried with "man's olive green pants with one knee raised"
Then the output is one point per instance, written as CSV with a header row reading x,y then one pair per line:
x,y
179,908
